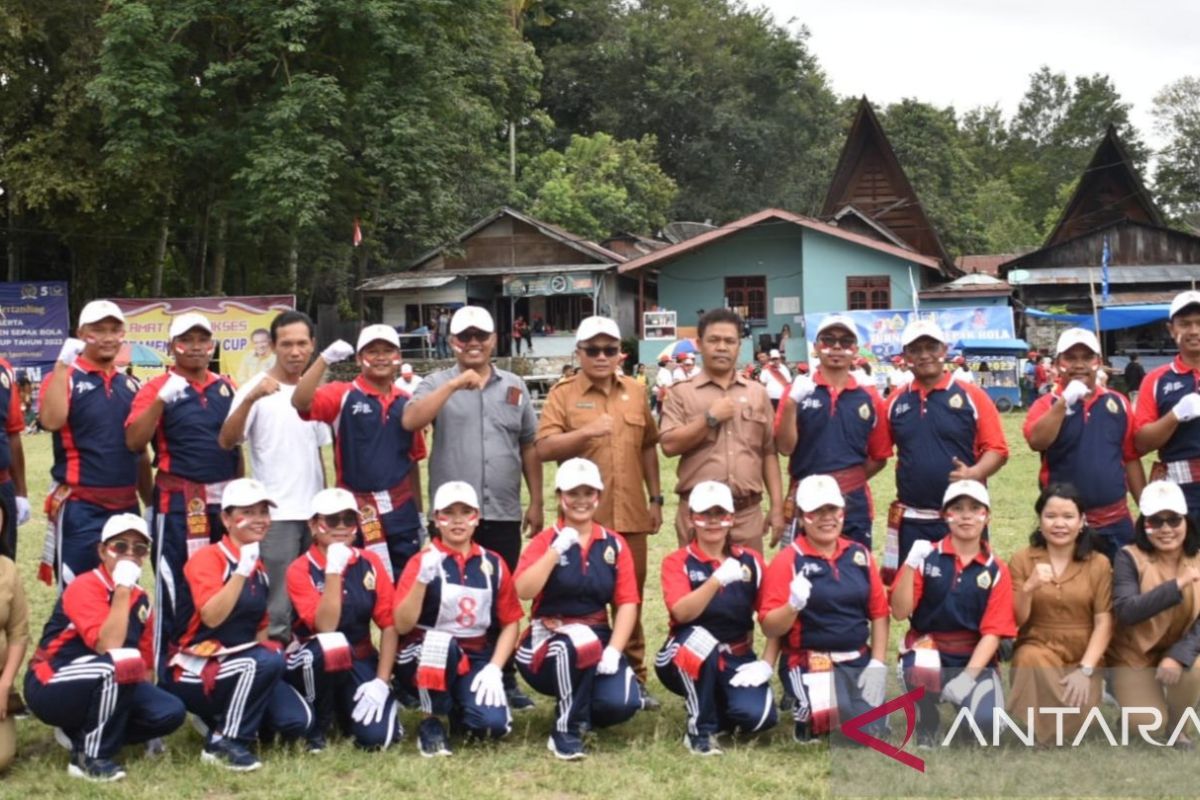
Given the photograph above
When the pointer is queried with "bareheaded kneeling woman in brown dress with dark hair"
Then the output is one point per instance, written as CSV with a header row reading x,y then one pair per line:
x,y
1064,599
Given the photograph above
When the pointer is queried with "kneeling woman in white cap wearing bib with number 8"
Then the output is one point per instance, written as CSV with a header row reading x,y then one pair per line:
x,y
458,610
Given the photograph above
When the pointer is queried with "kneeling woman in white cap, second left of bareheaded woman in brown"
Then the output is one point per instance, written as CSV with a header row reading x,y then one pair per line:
x,y
824,598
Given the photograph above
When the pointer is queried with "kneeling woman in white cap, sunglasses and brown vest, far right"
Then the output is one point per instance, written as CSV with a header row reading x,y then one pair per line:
x,y
1156,599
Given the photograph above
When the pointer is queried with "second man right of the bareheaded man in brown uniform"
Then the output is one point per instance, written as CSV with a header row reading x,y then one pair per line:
x,y
944,431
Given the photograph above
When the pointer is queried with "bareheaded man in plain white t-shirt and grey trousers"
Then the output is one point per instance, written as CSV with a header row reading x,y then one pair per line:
x,y
285,455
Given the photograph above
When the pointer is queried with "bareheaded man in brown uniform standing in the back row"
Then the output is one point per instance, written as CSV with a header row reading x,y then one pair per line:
x,y
721,424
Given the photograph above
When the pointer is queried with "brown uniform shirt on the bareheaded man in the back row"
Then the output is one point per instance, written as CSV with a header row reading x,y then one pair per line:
x,y
733,454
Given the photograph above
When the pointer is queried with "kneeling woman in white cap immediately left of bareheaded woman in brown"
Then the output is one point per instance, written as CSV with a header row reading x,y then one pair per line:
x,y
958,599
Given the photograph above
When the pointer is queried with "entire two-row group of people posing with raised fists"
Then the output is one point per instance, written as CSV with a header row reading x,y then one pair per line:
x,y
266,590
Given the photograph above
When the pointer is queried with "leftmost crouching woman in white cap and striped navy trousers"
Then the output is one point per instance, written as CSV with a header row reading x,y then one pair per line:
x,y
92,673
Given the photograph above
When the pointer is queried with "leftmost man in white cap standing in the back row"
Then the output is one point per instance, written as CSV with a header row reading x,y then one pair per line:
x,y
86,402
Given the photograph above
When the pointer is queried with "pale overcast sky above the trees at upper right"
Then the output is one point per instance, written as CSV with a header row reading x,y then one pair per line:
x,y
971,53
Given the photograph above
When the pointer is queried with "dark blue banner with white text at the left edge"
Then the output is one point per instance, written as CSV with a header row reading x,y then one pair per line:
x,y
34,322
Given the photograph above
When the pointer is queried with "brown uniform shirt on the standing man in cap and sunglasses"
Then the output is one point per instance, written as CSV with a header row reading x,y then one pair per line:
x,y
574,404
